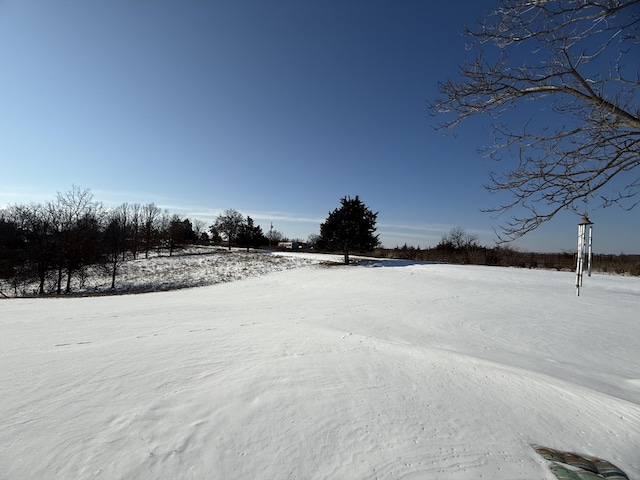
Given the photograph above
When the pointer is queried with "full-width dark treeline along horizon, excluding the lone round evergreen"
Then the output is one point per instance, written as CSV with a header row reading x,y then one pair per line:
x,y
51,245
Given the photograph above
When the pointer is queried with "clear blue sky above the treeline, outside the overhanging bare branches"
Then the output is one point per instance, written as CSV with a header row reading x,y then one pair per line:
x,y
274,108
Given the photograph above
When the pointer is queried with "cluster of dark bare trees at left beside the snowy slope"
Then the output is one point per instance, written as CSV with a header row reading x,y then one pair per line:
x,y
55,243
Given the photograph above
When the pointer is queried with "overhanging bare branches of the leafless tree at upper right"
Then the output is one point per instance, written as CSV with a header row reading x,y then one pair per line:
x,y
579,140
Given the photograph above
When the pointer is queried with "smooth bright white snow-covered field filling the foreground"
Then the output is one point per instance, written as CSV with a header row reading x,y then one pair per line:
x,y
388,370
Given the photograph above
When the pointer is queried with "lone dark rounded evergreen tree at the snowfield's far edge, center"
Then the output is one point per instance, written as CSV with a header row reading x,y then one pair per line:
x,y
350,228
